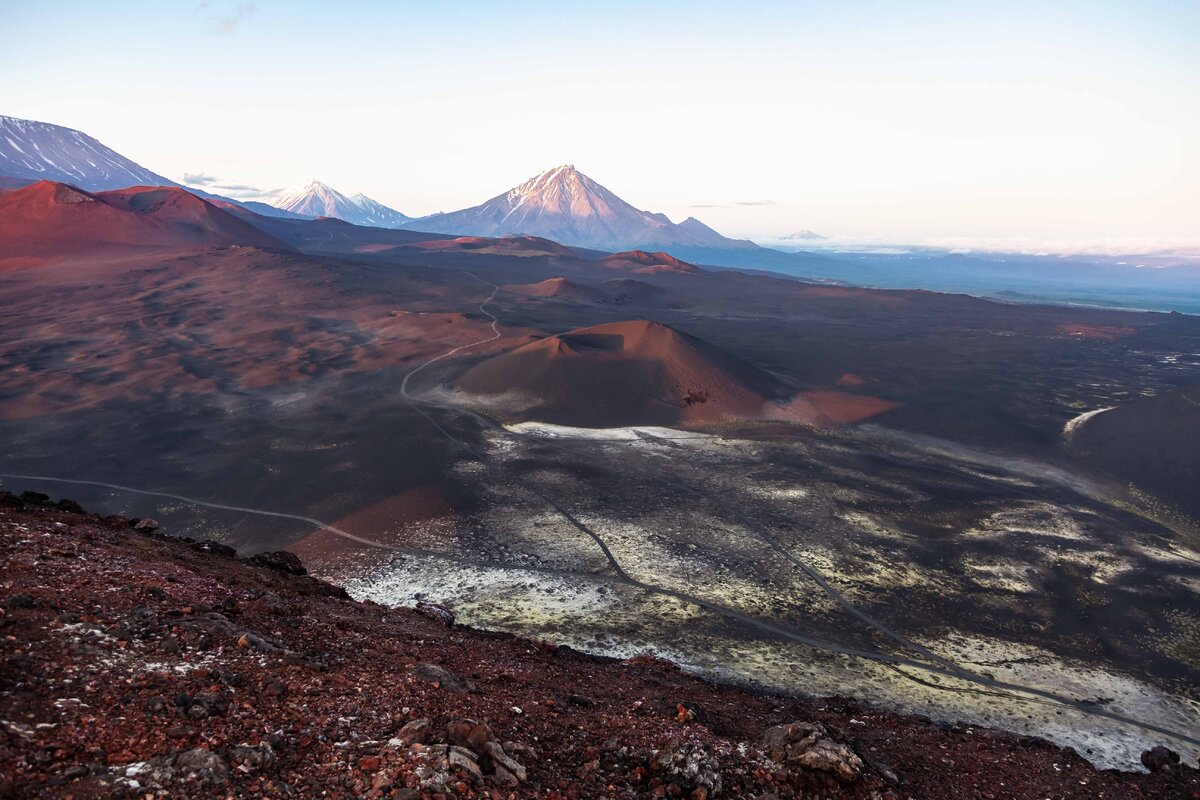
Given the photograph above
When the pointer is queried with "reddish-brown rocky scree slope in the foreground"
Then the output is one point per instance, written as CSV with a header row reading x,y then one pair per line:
x,y
137,665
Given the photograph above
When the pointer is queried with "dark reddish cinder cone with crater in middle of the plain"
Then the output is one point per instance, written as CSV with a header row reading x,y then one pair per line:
x,y
623,374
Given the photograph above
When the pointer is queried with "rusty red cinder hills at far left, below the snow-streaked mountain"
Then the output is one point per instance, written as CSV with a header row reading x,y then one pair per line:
x,y
53,221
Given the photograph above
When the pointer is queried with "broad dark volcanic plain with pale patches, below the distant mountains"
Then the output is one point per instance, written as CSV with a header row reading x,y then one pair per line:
x,y
889,510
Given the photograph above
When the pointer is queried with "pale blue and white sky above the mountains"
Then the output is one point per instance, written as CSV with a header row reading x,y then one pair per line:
x,y
919,122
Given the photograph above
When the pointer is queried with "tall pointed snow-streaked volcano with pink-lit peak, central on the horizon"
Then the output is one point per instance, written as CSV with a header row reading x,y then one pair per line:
x,y
568,207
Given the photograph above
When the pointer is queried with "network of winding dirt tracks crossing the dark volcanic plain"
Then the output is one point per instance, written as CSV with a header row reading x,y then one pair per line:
x,y
935,665
